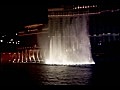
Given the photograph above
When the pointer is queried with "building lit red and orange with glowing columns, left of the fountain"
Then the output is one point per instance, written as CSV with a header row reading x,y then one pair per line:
x,y
27,48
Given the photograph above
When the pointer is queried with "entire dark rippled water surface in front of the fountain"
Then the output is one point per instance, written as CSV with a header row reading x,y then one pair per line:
x,y
36,75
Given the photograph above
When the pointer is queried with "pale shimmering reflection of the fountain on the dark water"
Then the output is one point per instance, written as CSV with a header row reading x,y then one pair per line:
x,y
61,75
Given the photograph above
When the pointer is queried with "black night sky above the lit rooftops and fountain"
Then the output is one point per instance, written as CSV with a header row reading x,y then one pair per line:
x,y
15,15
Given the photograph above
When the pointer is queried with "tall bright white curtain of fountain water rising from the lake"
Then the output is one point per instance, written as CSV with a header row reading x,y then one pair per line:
x,y
69,40
